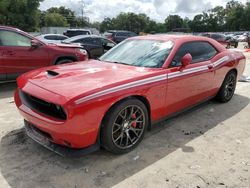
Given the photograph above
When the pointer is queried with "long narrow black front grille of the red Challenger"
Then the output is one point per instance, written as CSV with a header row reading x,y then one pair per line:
x,y
42,106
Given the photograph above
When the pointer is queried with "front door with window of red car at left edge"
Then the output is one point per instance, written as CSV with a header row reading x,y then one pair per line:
x,y
17,55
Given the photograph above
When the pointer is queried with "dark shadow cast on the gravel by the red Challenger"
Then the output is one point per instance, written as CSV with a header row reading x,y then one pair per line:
x,y
24,163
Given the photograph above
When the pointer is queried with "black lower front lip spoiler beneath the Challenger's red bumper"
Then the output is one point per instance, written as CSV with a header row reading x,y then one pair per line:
x,y
41,138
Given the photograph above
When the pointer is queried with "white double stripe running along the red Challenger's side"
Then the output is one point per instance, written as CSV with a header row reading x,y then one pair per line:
x,y
150,80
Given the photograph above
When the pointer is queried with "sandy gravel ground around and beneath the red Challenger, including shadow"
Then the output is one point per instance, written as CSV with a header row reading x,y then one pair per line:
x,y
207,146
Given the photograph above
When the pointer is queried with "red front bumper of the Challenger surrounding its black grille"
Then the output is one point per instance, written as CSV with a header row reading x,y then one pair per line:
x,y
72,133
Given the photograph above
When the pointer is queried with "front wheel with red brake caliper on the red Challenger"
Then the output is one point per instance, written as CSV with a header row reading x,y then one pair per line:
x,y
122,130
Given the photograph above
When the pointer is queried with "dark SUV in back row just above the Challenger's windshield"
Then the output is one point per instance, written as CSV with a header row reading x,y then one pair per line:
x,y
118,36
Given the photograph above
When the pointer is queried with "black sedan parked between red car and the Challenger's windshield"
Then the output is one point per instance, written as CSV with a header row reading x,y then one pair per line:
x,y
93,44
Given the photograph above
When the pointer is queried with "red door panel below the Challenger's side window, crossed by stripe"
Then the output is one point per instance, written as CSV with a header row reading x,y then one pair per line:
x,y
189,86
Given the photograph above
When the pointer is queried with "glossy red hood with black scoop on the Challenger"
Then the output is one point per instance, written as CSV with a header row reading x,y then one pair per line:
x,y
85,78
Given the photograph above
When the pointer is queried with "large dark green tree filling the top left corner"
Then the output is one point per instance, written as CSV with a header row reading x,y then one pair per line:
x,y
23,14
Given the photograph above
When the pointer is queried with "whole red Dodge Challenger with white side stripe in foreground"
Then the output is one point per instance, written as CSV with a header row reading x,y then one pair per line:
x,y
73,109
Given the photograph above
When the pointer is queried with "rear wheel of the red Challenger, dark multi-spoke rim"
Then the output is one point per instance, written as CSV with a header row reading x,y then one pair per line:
x,y
227,88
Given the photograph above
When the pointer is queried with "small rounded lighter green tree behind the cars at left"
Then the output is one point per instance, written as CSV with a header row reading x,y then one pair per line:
x,y
55,20
